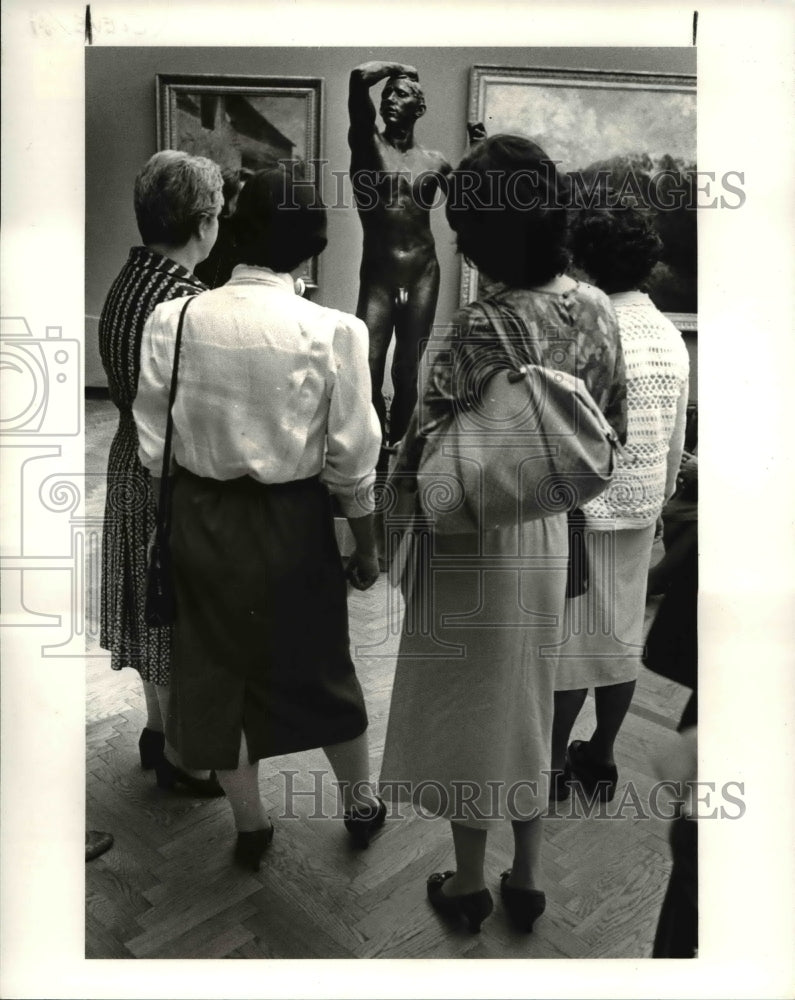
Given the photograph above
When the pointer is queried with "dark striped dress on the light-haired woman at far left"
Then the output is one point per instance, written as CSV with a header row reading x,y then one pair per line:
x,y
146,280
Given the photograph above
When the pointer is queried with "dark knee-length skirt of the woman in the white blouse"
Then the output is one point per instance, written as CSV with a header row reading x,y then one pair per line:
x,y
261,640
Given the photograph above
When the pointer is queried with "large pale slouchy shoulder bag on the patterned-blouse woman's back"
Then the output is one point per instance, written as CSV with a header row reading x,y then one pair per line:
x,y
532,444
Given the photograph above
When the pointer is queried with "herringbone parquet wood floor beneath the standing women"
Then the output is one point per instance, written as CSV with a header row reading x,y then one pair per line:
x,y
167,888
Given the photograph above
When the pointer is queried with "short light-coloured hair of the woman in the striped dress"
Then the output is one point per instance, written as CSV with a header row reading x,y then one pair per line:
x,y
172,191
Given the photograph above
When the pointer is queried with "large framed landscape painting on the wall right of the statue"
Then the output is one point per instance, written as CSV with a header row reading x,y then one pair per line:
x,y
637,129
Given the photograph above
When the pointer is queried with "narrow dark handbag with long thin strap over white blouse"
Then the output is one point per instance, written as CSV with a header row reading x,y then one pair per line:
x,y
160,607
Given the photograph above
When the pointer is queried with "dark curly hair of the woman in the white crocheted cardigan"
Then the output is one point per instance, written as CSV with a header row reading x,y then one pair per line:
x,y
618,247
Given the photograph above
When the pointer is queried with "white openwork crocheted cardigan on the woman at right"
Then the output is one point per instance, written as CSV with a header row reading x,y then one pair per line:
x,y
657,367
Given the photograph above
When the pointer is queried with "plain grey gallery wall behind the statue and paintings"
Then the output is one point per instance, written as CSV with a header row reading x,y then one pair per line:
x,y
121,134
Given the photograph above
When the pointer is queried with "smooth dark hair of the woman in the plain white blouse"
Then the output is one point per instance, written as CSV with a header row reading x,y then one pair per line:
x,y
279,221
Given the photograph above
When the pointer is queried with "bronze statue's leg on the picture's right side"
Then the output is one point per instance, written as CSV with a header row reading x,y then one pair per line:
x,y
413,324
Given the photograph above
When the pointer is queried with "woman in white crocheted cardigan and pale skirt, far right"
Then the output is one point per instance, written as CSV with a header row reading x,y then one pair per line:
x,y
618,248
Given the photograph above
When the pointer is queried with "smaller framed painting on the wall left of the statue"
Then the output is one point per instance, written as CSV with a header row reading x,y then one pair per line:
x,y
244,123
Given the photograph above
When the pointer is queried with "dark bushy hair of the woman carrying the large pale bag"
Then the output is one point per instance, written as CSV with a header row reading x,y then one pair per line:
x,y
507,206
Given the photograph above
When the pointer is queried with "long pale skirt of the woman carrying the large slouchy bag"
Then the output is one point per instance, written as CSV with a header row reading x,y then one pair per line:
x,y
471,715
